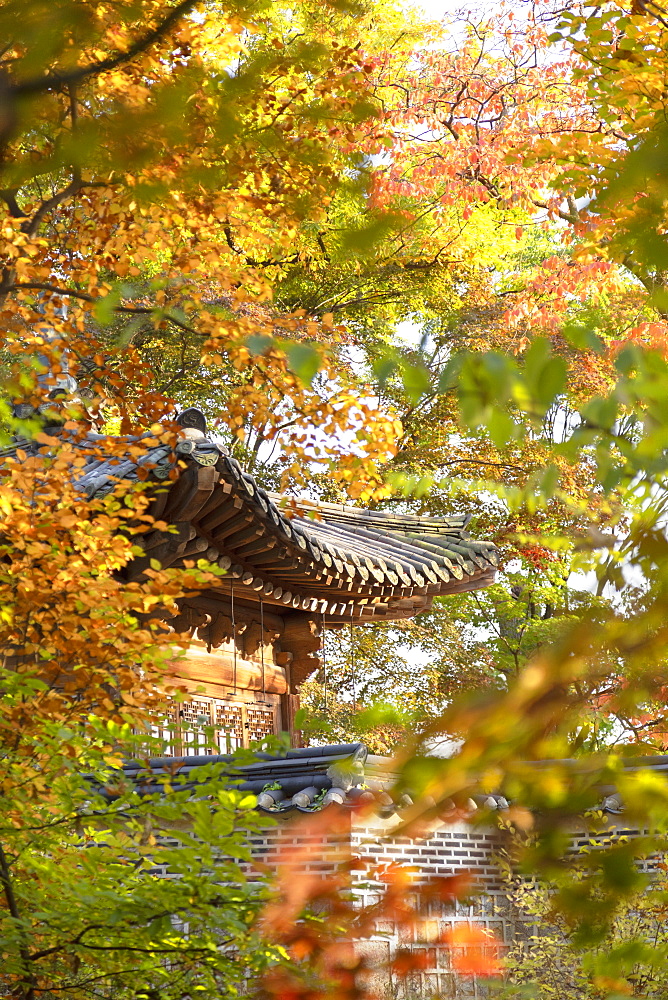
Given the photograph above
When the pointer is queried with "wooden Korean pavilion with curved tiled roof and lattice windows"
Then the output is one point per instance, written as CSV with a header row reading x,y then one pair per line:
x,y
292,569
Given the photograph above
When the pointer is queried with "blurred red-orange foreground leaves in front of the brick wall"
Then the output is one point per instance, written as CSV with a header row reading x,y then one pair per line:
x,y
326,930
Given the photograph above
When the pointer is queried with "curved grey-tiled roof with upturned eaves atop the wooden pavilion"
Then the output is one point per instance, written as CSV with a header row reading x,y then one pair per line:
x,y
336,560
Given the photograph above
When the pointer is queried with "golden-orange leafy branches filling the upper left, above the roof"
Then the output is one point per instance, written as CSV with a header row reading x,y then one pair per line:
x,y
176,191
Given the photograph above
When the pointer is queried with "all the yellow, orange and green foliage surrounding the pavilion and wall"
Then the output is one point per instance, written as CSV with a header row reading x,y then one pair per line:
x,y
416,265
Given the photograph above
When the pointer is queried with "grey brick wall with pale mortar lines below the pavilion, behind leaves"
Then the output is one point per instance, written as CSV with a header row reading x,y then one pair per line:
x,y
316,844
